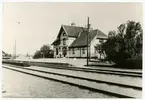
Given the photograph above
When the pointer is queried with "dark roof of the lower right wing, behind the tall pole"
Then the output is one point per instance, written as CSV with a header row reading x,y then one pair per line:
x,y
82,39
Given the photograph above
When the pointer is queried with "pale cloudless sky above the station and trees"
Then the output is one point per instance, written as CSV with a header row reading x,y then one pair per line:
x,y
34,24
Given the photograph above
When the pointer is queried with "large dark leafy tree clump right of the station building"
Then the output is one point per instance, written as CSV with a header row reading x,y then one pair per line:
x,y
125,44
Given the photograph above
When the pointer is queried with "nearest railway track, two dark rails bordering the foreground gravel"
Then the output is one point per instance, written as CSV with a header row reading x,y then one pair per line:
x,y
112,88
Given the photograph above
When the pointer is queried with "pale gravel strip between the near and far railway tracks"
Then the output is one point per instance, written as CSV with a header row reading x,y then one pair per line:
x,y
136,81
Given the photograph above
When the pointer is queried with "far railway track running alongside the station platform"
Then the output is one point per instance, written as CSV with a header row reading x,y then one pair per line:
x,y
92,70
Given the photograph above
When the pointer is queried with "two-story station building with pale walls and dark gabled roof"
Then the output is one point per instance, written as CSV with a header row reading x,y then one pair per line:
x,y
71,42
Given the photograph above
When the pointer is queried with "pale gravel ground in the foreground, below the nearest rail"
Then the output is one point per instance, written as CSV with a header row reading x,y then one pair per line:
x,y
17,84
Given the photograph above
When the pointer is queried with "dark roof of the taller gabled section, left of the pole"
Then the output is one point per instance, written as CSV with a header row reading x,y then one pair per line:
x,y
73,31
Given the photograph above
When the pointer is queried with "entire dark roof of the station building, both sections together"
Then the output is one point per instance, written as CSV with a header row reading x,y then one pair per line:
x,y
75,31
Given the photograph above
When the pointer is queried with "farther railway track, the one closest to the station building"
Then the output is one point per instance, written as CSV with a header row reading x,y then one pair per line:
x,y
95,70
